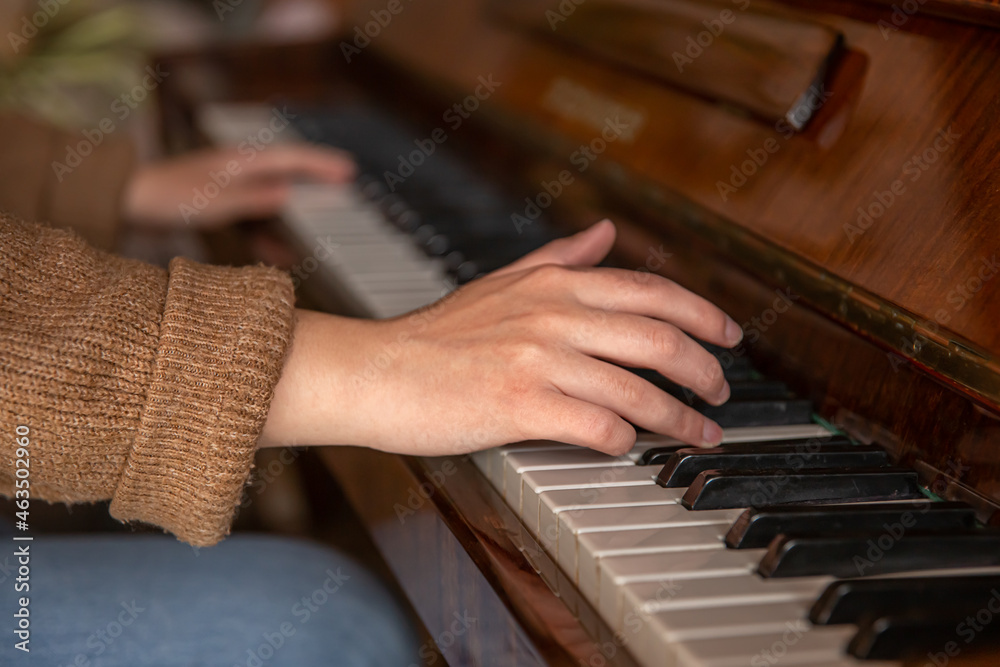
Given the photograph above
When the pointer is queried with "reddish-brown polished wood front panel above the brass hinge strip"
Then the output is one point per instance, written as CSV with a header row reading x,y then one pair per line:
x,y
929,79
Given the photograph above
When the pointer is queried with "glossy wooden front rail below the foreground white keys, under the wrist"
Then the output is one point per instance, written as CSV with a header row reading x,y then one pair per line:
x,y
459,552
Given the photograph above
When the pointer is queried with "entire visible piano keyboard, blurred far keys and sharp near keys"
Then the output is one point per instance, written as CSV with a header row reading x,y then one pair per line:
x,y
664,577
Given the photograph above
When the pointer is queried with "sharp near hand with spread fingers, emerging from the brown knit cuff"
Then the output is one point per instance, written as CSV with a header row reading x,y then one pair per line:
x,y
520,354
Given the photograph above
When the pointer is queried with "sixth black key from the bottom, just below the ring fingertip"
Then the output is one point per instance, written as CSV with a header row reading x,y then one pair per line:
x,y
681,469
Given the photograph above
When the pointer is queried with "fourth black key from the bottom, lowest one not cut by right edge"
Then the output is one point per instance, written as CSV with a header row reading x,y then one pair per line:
x,y
757,526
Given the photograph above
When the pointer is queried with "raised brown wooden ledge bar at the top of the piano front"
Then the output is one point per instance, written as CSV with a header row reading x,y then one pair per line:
x,y
761,63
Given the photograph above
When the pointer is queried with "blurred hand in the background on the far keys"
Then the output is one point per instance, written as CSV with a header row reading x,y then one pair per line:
x,y
217,187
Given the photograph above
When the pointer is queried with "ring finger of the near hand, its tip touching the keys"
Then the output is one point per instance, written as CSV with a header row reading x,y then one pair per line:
x,y
635,399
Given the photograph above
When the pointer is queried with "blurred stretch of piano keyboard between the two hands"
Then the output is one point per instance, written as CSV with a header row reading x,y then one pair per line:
x,y
404,242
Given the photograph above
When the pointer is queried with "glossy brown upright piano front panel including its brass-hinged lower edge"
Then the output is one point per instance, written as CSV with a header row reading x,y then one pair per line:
x,y
880,213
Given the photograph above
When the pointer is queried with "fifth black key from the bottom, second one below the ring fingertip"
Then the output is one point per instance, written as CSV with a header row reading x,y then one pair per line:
x,y
729,489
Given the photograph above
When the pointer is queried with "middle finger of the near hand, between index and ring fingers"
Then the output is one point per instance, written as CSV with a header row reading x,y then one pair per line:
x,y
634,340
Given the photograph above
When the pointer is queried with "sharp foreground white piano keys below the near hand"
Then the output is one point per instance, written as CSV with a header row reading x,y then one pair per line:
x,y
661,575
